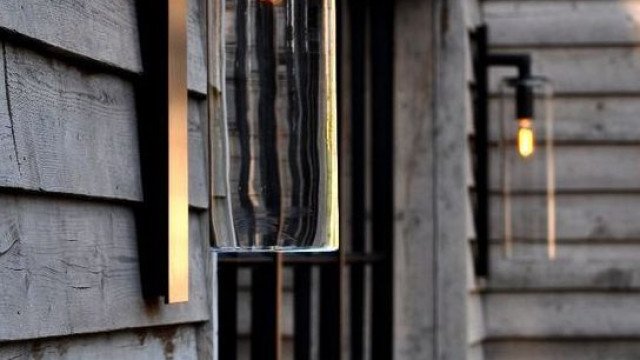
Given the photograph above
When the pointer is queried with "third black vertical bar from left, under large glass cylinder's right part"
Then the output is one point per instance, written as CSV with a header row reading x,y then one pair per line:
x,y
302,312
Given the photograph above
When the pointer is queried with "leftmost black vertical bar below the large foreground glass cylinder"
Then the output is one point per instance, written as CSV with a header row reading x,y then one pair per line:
x,y
227,311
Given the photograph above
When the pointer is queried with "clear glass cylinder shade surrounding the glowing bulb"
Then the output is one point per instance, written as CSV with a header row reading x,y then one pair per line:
x,y
527,168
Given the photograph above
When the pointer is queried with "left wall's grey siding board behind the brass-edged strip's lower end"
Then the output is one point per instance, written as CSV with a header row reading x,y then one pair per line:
x,y
70,267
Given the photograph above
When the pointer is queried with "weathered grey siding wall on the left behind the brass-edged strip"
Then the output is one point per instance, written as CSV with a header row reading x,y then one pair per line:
x,y
69,181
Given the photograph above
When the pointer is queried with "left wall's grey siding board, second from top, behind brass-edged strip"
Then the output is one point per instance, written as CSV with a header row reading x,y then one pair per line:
x,y
75,132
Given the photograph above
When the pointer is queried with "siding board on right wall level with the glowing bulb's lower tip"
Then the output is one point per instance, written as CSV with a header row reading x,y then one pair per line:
x,y
588,168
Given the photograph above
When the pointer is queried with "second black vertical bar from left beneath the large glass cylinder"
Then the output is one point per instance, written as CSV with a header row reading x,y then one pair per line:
x,y
266,299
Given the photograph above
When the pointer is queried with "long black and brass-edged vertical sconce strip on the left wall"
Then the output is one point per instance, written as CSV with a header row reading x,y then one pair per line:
x,y
161,96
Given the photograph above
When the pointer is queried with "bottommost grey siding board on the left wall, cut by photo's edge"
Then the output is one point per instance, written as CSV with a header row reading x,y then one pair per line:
x,y
173,342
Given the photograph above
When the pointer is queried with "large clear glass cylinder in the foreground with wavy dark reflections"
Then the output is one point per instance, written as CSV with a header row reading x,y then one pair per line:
x,y
280,97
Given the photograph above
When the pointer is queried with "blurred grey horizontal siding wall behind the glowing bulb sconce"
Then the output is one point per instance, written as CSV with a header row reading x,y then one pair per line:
x,y
581,305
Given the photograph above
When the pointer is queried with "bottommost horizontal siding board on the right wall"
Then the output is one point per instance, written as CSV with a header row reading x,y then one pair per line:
x,y
552,349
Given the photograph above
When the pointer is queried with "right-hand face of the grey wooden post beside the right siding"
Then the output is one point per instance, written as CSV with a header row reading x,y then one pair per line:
x,y
453,73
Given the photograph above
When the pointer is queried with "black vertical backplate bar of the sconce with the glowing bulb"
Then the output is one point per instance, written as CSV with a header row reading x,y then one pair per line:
x,y
482,152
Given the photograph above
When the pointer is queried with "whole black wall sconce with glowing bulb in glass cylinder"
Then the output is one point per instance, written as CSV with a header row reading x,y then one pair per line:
x,y
524,151
